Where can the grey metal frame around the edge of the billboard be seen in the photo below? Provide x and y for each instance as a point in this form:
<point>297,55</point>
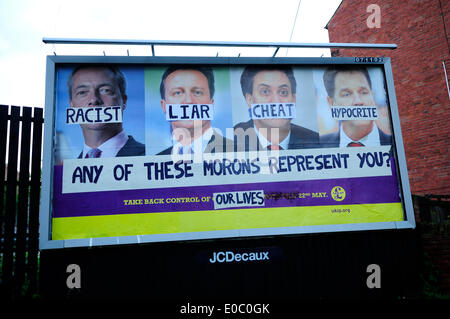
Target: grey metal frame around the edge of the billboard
<point>45,241</point>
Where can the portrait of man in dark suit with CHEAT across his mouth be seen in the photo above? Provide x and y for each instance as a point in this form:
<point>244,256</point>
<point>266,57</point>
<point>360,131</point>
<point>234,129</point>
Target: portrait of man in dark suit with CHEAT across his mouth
<point>268,85</point>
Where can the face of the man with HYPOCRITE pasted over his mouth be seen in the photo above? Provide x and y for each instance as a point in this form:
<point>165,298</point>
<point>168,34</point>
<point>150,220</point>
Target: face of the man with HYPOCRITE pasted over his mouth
<point>352,88</point>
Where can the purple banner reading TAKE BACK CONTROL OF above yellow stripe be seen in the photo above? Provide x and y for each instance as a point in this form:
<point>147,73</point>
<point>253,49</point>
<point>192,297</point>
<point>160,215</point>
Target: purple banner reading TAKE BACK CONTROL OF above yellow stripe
<point>364,190</point>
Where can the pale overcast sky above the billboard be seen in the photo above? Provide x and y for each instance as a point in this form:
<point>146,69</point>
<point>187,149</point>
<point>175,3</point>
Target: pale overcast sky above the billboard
<point>24,23</point>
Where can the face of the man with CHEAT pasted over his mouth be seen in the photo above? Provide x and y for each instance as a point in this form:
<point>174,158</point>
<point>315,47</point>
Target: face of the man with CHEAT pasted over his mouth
<point>271,87</point>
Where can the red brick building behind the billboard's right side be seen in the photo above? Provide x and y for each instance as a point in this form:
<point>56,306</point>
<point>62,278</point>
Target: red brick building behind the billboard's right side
<point>421,30</point>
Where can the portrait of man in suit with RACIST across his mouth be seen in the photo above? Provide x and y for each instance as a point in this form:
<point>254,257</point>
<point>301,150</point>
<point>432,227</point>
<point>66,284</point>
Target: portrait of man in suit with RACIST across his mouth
<point>102,85</point>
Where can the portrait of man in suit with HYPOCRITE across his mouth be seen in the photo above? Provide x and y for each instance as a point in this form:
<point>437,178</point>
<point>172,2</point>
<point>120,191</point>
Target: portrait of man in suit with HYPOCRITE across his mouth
<point>352,86</point>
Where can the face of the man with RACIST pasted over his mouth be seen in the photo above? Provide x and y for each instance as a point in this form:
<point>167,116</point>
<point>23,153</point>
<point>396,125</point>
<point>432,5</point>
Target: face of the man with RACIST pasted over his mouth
<point>95,87</point>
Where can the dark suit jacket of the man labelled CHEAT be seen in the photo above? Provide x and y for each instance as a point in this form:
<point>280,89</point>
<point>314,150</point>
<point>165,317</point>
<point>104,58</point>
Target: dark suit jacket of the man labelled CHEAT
<point>301,137</point>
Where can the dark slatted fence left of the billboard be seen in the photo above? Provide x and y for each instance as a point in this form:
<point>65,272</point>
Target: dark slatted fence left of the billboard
<point>20,171</point>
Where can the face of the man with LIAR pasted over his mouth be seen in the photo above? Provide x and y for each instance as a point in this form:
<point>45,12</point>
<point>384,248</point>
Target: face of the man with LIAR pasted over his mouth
<point>186,87</point>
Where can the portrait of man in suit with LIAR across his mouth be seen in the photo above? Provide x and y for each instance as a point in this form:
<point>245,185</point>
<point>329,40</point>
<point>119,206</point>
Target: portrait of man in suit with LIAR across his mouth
<point>191,86</point>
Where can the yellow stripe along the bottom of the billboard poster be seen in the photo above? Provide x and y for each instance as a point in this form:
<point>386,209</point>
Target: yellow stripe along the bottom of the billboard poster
<point>198,221</point>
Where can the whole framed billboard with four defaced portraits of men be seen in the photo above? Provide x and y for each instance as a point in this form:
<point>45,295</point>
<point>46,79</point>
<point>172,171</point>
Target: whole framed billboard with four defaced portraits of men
<point>161,149</point>
